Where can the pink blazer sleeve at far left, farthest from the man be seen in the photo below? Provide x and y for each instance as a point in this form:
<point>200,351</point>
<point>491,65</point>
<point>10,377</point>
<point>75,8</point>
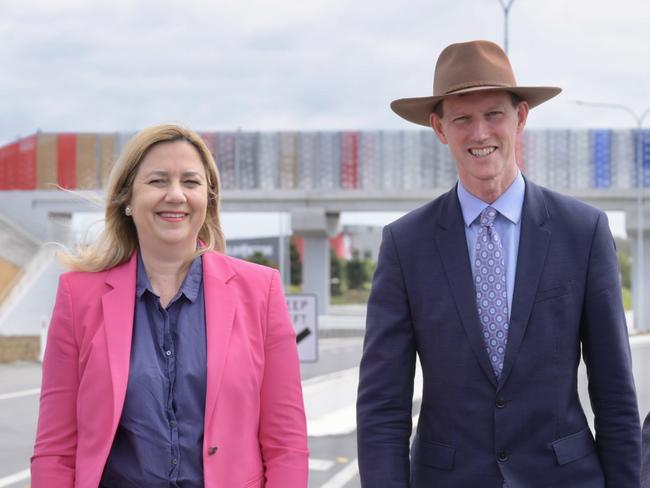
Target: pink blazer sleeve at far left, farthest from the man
<point>53,461</point>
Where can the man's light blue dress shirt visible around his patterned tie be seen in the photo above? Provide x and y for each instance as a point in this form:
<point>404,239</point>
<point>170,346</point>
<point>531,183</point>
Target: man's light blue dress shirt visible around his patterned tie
<point>508,225</point>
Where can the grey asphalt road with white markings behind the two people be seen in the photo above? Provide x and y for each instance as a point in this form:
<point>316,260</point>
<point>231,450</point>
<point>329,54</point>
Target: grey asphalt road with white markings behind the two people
<point>330,393</point>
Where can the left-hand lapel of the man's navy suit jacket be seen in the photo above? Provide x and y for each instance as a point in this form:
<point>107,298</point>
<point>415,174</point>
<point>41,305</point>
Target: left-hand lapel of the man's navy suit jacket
<point>452,245</point>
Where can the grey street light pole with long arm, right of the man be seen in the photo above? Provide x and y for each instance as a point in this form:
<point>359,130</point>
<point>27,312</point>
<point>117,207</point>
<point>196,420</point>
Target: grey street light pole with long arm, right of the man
<point>638,321</point>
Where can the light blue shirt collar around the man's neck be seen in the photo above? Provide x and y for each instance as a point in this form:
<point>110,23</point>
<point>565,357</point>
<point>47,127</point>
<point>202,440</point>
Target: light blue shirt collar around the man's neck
<point>509,204</point>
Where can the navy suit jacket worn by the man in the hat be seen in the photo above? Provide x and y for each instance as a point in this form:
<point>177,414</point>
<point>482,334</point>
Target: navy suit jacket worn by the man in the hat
<point>528,428</point>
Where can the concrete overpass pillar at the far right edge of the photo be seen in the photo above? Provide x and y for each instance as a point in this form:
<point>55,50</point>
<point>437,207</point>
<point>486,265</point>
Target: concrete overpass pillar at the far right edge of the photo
<point>640,268</point>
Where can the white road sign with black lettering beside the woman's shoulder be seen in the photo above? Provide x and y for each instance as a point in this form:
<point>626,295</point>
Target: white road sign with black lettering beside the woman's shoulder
<point>304,317</point>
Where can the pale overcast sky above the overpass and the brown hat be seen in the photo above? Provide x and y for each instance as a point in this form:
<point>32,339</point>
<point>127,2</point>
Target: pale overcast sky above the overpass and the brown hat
<point>88,65</point>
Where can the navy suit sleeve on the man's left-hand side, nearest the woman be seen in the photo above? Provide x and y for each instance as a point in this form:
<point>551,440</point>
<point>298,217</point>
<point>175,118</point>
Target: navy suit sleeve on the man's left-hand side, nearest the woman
<point>386,376</point>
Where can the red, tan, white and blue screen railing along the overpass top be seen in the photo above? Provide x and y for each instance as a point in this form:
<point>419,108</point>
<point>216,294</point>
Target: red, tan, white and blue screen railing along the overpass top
<point>344,160</point>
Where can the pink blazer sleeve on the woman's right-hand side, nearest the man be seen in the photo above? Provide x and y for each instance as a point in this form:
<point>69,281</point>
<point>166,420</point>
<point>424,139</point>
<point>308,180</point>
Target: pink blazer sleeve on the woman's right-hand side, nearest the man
<point>283,430</point>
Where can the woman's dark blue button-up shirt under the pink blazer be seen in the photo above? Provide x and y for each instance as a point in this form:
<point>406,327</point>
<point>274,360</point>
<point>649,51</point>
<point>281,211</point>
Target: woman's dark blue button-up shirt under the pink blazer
<point>159,439</point>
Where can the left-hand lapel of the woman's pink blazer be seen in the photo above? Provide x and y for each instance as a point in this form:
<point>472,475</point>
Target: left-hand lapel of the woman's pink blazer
<point>118,306</point>
